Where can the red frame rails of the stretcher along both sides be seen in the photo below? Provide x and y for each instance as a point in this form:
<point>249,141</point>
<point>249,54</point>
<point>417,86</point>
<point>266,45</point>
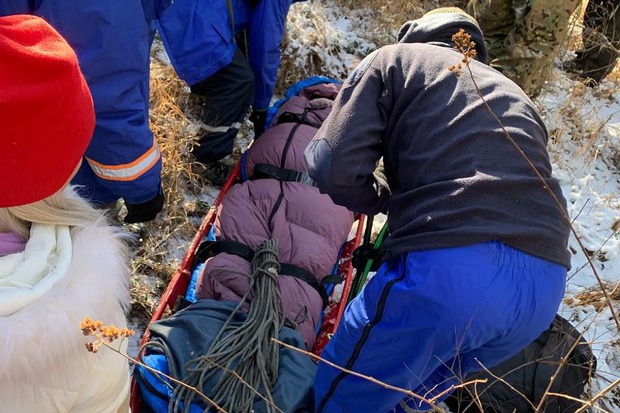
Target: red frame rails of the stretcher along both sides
<point>180,281</point>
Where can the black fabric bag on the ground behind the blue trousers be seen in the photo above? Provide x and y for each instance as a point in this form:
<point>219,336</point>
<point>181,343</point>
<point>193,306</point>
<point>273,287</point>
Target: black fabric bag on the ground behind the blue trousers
<point>529,373</point>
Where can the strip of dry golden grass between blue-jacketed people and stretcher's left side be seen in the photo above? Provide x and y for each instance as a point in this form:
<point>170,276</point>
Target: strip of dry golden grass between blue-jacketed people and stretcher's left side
<point>156,241</point>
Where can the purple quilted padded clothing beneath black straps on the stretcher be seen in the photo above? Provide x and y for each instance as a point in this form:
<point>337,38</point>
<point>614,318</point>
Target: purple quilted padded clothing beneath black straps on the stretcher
<point>310,229</point>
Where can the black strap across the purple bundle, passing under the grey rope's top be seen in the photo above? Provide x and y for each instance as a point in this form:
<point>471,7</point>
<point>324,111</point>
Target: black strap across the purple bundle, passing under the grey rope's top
<point>211,248</point>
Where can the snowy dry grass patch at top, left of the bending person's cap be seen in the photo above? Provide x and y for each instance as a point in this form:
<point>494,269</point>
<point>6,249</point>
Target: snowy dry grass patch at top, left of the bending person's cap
<point>326,51</point>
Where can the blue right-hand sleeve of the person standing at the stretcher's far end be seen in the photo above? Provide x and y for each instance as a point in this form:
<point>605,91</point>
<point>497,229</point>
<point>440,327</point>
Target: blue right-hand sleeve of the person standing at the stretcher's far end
<point>266,31</point>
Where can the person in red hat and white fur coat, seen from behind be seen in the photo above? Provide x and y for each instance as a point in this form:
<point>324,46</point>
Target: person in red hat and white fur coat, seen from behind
<point>59,259</point>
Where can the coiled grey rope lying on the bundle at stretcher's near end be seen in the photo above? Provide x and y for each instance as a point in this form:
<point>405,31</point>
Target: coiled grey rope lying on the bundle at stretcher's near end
<point>247,350</point>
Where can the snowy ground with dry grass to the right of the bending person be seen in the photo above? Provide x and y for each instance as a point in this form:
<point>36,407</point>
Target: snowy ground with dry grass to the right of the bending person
<point>585,154</point>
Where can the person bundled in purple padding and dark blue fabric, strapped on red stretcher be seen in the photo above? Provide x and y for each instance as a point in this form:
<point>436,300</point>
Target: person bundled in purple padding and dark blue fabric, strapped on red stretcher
<point>275,216</point>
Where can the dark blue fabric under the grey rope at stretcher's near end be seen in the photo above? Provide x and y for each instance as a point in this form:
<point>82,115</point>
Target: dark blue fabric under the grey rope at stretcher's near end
<point>190,332</point>
